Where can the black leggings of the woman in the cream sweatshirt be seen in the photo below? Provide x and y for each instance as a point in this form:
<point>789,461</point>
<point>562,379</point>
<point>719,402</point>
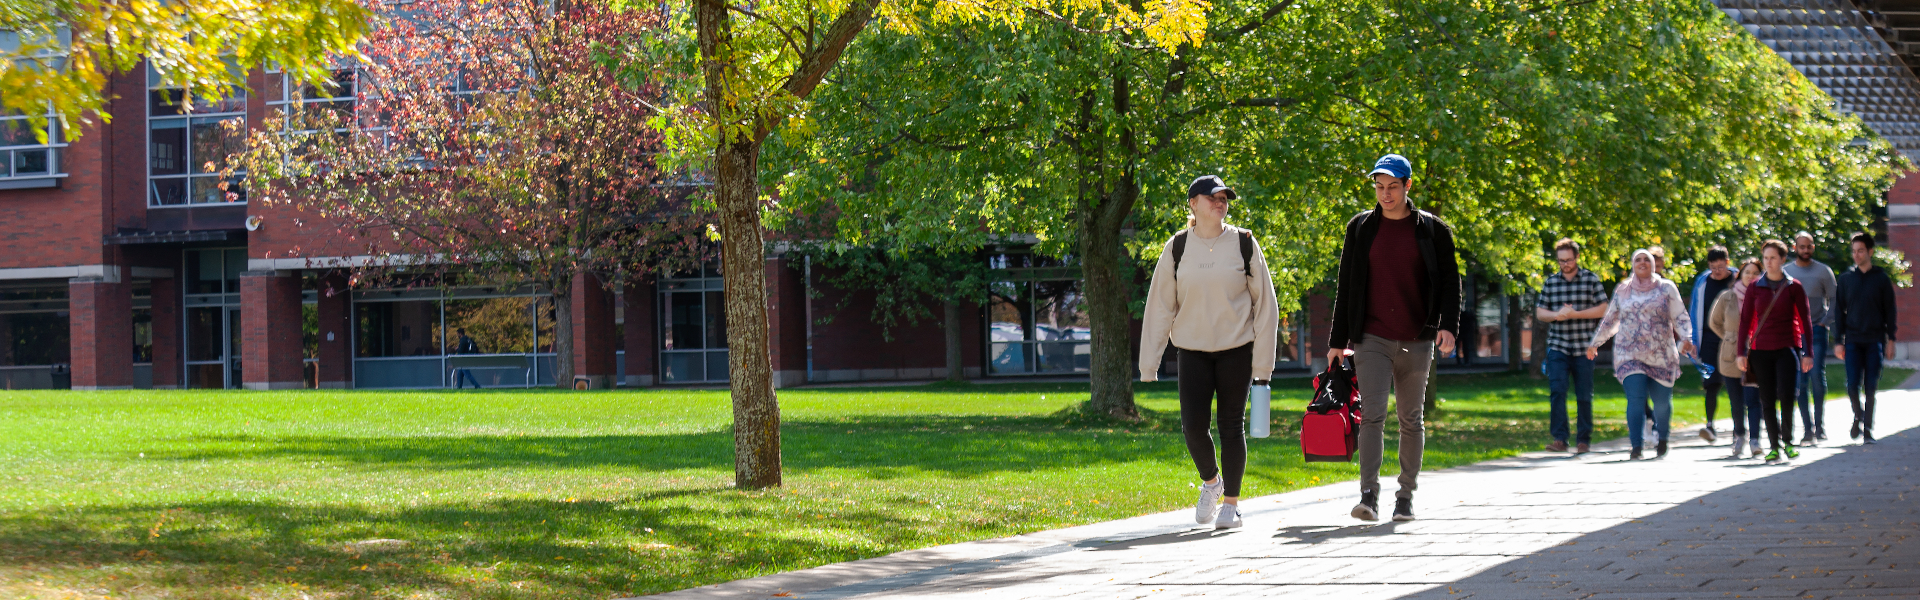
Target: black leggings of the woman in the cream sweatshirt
<point>1203,376</point>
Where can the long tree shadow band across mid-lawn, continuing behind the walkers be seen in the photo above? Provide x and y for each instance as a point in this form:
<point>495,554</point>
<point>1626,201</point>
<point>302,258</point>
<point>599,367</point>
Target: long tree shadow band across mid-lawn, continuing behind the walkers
<point>876,447</point>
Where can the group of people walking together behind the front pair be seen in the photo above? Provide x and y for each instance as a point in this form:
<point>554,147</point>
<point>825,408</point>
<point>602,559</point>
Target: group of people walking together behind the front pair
<point>1762,336</point>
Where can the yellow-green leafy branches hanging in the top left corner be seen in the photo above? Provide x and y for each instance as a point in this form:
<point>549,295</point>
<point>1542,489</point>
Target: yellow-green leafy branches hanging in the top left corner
<point>59,53</point>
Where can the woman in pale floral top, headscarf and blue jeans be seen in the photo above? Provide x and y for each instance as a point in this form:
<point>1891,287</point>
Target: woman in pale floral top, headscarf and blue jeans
<point>1646,320</point>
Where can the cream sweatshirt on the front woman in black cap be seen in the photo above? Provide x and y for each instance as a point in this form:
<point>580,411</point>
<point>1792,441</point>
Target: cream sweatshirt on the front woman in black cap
<point>1212,305</point>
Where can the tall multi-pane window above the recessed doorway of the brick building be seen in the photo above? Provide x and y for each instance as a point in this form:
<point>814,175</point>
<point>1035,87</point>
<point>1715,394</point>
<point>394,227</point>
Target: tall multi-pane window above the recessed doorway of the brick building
<point>191,143</point>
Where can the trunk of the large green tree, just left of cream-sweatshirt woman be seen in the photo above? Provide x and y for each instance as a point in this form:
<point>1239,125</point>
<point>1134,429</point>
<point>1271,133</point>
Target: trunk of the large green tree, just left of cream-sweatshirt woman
<point>1107,297</point>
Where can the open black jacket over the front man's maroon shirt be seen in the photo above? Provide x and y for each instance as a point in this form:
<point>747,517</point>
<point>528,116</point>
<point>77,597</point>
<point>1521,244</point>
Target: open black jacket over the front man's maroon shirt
<point>1443,278</point>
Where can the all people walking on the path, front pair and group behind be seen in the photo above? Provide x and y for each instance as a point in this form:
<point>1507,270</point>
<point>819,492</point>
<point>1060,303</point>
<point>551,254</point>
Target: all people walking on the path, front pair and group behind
<point>1397,305</point>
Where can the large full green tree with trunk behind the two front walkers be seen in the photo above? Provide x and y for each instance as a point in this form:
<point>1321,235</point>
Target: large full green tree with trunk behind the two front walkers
<point>1610,122</point>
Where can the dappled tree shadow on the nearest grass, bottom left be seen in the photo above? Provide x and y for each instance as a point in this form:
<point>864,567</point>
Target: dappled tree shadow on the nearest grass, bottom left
<point>500,549</point>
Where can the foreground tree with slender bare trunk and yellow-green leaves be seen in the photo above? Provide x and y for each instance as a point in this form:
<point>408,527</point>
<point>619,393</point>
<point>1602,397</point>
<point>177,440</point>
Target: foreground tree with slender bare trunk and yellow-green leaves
<point>759,68</point>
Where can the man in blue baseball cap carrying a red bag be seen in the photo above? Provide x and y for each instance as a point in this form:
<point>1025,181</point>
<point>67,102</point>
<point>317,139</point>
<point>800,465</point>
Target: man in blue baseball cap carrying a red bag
<point>1395,305</point>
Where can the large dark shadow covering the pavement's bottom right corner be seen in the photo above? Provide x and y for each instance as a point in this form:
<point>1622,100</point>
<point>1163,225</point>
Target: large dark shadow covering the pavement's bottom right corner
<point>1838,528</point>
